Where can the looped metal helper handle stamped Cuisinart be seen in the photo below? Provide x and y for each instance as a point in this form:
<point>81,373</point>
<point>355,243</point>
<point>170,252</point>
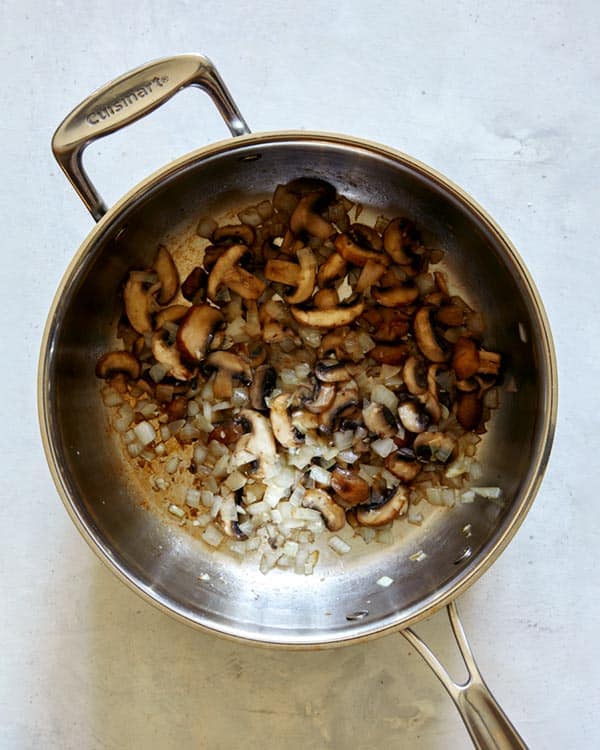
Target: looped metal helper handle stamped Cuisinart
<point>126,100</point>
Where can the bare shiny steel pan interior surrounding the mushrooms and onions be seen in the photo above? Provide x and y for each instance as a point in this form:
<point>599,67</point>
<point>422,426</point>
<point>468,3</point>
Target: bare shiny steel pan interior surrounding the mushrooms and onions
<point>342,600</point>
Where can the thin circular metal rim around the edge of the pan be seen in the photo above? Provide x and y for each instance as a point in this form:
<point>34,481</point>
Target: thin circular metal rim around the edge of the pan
<point>545,430</point>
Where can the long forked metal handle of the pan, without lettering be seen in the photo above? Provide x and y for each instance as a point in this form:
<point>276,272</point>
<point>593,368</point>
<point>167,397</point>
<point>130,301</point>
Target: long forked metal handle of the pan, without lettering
<point>486,722</point>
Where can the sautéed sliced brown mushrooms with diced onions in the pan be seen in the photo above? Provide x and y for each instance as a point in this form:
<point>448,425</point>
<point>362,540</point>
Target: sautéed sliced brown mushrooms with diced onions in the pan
<point>309,375</point>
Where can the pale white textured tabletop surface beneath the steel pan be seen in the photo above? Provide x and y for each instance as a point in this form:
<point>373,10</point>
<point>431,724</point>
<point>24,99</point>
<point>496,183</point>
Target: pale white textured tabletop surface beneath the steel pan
<point>503,98</point>
